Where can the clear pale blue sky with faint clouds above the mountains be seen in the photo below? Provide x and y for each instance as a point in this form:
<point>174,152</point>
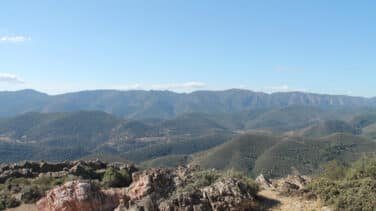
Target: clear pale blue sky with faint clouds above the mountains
<point>58,46</point>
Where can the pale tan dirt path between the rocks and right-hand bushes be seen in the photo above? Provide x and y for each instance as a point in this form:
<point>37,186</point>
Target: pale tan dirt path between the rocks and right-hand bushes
<point>281,203</point>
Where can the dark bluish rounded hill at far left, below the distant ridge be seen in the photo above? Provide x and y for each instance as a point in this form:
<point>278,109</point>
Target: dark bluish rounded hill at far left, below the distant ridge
<point>60,129</point>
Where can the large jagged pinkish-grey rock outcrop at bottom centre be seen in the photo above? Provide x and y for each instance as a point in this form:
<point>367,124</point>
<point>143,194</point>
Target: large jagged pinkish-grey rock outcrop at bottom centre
<point>155,190</point>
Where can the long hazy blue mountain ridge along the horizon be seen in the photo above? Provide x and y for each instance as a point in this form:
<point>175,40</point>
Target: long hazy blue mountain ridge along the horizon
<point>165,104</point>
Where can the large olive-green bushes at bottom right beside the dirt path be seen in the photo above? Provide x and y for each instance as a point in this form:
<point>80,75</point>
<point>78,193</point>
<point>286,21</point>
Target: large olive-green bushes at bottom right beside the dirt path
<point>354,188</point>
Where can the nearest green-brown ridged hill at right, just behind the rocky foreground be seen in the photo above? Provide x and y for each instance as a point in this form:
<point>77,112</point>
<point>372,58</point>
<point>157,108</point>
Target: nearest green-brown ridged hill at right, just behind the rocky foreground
<point>279,156</point>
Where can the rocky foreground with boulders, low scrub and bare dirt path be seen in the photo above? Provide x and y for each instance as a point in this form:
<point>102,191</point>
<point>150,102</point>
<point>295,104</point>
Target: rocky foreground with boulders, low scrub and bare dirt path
<point>99,186</point>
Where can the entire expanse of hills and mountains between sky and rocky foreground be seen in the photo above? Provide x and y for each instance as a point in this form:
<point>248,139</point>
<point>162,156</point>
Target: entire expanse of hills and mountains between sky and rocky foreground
<point>273,134</point>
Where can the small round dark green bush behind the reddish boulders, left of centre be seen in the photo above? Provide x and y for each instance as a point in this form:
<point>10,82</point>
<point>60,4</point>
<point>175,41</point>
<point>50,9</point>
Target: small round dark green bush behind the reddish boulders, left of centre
<point>116,178</point>
